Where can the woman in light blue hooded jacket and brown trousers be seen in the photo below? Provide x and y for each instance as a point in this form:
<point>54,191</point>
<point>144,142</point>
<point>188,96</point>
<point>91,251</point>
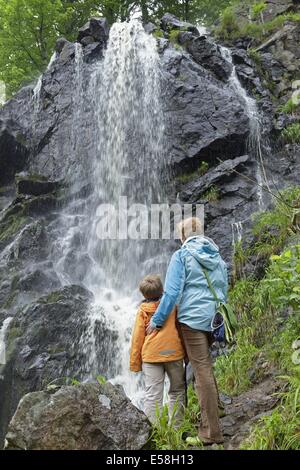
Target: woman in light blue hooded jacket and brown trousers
<point>187,287</point>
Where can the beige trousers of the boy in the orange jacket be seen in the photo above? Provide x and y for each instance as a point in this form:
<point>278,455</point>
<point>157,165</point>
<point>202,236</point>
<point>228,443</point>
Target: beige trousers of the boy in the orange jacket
<point>154,381</point>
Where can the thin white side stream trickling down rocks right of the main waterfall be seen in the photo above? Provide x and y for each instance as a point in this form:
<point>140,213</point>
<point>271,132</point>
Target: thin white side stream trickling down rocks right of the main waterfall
<point>254,141</point>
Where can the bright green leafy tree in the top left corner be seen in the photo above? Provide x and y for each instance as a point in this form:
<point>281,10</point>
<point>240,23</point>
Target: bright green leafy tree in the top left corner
<point>27,35</point>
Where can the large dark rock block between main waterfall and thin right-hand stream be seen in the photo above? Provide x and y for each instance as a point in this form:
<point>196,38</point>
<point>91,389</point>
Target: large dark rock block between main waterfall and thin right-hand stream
<point>206,121</point>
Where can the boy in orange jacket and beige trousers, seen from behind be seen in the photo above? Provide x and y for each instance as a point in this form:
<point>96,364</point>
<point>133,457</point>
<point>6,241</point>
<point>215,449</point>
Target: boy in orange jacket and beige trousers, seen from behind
<point>158,353</point>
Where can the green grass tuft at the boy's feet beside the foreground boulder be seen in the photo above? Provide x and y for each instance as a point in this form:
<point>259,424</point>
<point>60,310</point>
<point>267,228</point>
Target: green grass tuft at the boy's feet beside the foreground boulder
<point>167,435</point>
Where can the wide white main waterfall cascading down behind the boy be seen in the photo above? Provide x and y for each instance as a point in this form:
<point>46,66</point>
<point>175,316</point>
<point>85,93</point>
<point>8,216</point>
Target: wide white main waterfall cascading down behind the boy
<point>127,133</point>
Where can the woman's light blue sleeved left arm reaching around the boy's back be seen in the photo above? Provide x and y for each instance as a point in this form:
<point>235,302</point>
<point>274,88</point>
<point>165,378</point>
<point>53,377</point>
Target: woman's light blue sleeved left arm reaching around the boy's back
<point>172,292</point>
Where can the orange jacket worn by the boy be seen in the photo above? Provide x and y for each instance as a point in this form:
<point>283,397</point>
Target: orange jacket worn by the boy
<point>164,346</point>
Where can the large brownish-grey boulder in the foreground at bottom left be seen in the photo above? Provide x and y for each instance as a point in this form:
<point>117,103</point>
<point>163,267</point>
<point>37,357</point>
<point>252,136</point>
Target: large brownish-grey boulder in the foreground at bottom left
<point>81,417</point>
